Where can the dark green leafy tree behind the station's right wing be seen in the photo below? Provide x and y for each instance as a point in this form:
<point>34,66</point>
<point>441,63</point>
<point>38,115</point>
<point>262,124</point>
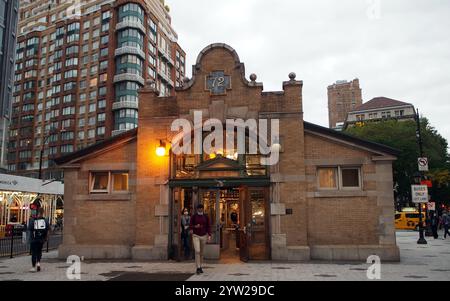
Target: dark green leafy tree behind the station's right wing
<point>402,136</point>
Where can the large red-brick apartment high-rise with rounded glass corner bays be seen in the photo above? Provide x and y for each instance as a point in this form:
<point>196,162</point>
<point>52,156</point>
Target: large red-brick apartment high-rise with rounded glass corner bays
<point>79,67</point>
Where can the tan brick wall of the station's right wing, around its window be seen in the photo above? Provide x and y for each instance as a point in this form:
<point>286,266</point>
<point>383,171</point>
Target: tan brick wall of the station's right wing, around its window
<point>348,220</point>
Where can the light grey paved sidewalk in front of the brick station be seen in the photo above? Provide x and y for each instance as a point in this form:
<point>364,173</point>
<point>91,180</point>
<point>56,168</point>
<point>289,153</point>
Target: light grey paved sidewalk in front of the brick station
<point>429,262</point>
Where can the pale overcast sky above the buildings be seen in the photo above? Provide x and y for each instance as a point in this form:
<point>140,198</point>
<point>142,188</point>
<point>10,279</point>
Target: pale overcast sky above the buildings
<point>398,49</point>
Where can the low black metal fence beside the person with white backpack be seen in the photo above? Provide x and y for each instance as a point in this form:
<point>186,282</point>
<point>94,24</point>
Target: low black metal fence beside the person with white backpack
<point>13,245</point>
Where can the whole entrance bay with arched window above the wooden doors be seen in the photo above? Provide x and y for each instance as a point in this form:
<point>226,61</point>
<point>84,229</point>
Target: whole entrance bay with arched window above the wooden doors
<point>234,190</point>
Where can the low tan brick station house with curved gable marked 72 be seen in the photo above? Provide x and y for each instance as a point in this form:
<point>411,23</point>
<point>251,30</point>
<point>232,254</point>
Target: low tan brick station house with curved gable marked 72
<point>329,197</point>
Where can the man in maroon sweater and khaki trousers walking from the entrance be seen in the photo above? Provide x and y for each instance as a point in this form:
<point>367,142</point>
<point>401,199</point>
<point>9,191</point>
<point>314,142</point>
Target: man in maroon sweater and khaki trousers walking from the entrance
<point>201,232</point>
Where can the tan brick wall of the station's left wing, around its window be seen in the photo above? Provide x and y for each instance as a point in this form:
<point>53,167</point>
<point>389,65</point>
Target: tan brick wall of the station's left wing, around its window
<point>101,219</point>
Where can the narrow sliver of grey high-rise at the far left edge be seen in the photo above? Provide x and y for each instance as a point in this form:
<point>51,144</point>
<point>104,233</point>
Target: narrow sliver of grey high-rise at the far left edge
<point>9,11</point>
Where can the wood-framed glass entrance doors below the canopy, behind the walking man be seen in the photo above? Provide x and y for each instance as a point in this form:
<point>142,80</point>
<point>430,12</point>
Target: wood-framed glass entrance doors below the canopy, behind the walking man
<point>239,221</point>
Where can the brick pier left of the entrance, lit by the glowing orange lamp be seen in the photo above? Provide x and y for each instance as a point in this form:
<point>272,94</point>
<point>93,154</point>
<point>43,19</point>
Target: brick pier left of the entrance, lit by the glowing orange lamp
<point>152,193</point>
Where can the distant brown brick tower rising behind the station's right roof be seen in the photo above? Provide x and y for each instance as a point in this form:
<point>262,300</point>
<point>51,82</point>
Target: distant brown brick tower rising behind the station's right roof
<point>343,97</point>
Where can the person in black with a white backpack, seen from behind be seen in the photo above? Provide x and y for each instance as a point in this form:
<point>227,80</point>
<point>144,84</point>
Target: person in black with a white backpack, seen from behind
<point>38,230</point>
